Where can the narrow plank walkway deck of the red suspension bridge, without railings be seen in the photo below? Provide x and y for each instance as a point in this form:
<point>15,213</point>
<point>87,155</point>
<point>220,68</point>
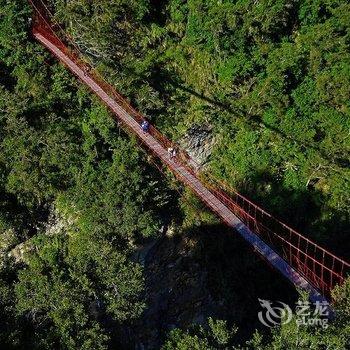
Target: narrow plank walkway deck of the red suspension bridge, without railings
<point>184,175</point>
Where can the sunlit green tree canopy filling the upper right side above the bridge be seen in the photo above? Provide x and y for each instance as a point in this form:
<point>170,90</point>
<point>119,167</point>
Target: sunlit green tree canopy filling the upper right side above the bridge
<point>272,78</point>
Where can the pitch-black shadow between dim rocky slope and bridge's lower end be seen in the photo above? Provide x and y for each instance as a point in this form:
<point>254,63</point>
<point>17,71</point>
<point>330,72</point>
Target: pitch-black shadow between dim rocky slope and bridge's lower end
<point>238,277</point>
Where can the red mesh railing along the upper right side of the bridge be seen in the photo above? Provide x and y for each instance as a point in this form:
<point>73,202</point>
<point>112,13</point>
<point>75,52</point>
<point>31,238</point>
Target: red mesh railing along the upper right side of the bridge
<point>320,267</point>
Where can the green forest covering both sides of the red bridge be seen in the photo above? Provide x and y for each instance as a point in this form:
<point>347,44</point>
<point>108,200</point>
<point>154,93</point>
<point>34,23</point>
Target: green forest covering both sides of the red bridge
<point>79,197</point>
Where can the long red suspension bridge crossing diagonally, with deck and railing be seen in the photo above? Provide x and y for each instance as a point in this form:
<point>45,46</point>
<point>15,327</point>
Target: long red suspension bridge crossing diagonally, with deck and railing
<point>304,263</point>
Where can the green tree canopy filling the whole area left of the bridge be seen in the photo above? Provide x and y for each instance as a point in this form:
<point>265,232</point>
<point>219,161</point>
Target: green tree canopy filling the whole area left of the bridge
<point>60,150</point>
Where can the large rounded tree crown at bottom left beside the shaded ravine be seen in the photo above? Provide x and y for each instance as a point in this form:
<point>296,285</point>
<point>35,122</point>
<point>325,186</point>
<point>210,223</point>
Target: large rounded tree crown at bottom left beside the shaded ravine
<point>72,282</point>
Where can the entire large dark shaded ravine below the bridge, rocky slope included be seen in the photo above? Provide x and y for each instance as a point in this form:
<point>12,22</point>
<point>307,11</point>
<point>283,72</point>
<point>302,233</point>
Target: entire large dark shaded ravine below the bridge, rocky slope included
<point>209,272</point>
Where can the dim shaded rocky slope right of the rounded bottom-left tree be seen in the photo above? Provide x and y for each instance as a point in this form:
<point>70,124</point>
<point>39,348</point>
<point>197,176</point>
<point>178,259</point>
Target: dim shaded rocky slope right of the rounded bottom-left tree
<point>176,291</point>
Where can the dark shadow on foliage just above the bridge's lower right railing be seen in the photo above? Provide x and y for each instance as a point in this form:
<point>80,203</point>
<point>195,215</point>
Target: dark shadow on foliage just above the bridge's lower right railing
<point>305,211</point>
